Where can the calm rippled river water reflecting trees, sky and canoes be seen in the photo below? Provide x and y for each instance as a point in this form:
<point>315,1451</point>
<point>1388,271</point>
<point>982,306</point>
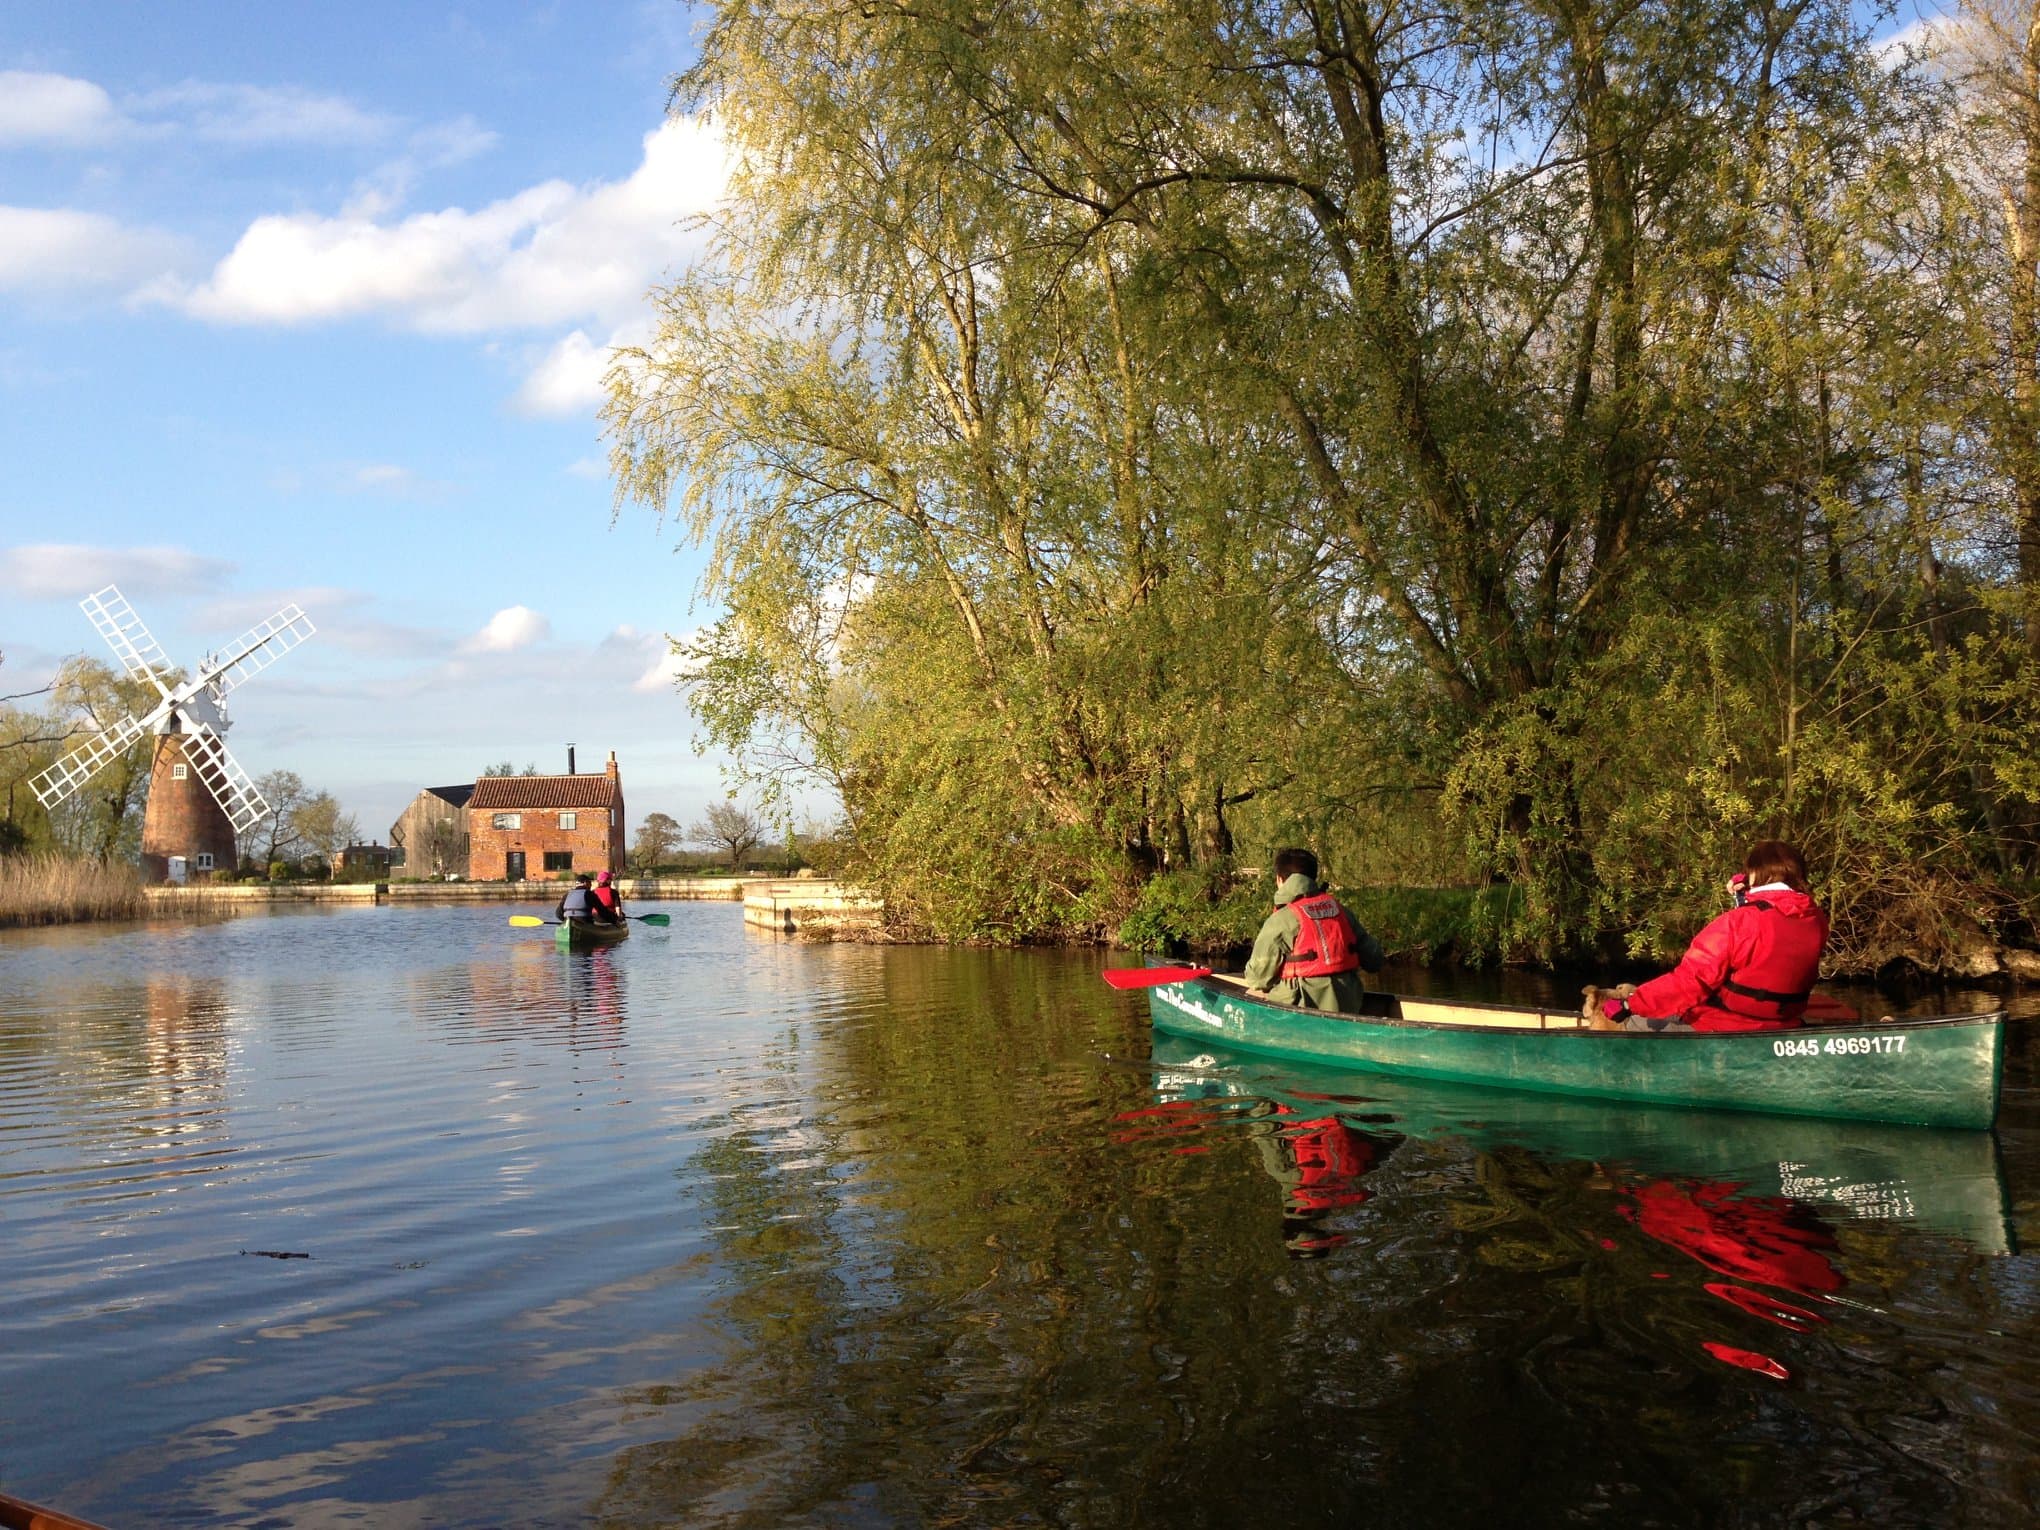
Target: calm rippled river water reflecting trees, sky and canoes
<point>721,1231</point>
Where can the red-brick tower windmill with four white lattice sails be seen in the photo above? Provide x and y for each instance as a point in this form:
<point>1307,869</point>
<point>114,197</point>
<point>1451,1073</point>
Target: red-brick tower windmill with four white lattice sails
<point>199,797</point>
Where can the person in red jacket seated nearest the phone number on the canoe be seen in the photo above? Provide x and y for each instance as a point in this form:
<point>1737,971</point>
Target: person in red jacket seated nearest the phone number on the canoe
<point>1751,970</point>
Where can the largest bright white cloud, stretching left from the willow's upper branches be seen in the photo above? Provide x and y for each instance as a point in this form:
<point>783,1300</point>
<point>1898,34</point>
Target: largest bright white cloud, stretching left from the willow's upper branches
<point>548,256</point>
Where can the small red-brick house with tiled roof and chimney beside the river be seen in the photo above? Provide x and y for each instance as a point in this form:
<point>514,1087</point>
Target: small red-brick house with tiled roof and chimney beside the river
<point>546,827</point>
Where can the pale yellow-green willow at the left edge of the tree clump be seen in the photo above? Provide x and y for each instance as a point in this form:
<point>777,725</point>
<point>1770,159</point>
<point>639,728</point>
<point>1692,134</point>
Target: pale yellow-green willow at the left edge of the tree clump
<point>994,572</point>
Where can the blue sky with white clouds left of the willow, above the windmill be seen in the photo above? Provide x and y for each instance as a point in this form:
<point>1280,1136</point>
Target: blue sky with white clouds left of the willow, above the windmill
<point>311,303</point>
